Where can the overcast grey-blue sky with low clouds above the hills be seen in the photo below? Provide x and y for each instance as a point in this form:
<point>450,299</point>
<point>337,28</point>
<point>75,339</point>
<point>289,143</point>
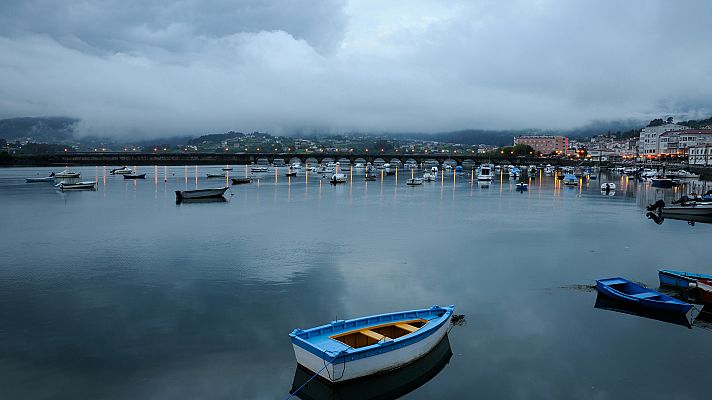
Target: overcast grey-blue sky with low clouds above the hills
<point>196,66</point>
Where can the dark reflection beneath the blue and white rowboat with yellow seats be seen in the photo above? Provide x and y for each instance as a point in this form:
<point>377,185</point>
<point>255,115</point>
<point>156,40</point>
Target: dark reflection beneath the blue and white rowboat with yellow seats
<point>389,385</point>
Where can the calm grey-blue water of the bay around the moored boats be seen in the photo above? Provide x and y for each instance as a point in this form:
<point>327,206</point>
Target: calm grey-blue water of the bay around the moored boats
<point>120,293</point>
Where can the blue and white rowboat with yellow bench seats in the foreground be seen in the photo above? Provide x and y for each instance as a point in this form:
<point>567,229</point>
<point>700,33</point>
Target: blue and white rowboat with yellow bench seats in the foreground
<point>347,349</point>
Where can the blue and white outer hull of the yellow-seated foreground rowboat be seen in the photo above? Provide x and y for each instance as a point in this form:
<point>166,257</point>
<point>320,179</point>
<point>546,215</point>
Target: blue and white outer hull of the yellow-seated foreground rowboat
<point>374,359</point>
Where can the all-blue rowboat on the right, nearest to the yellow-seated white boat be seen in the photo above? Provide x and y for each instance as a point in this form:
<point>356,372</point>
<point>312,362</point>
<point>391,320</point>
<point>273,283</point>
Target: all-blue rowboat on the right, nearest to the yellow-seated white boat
<point>629,292</point>
